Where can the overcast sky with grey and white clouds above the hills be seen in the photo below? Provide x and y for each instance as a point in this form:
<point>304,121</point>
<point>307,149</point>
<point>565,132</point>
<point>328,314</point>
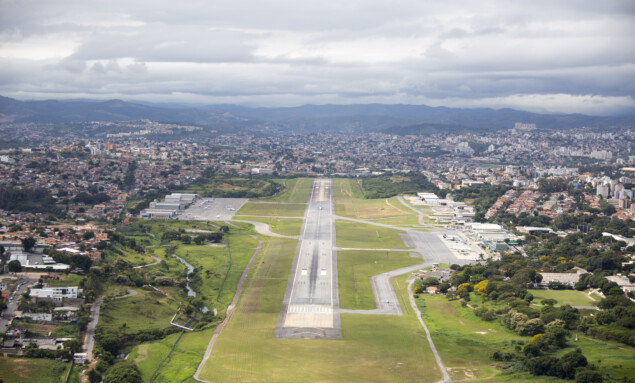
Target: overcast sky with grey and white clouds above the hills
<point>550,56</point>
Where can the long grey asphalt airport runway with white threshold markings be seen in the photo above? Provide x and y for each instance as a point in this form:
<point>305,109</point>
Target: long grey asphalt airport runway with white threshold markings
<point>309,309</point>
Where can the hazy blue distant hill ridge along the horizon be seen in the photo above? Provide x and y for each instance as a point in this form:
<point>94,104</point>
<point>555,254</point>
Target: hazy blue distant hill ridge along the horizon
<point>389,118</point>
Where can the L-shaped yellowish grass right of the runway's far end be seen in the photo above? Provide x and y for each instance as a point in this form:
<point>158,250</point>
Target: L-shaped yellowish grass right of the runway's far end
<point>349,202</point>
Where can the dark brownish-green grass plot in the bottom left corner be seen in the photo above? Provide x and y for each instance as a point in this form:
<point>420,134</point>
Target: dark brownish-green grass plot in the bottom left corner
<point>29,370</point>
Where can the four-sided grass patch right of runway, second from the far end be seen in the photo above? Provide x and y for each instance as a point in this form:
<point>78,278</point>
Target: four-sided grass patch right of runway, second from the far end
<point>358,235</point>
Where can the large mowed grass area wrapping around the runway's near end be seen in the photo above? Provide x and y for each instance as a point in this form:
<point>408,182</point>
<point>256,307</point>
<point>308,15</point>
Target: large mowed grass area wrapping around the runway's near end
<point>374,348</point>
